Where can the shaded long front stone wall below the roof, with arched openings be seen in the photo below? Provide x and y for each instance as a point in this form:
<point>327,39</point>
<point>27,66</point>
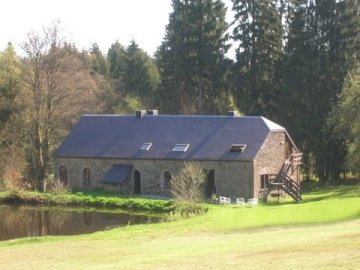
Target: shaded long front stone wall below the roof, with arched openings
<point>232,178</point>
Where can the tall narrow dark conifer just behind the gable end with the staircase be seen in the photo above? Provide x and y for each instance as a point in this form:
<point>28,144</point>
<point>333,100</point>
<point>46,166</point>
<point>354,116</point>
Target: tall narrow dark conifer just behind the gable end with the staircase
<point>298,109</point>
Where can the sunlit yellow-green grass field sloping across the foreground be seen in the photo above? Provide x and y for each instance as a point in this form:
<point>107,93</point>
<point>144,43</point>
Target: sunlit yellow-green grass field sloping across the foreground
<point>321,233</point>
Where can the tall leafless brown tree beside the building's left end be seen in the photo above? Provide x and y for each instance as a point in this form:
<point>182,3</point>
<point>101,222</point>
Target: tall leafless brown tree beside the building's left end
<point>58,89</point>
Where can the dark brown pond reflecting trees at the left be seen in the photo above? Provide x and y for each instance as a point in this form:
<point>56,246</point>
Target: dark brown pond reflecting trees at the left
<point>18,221</point>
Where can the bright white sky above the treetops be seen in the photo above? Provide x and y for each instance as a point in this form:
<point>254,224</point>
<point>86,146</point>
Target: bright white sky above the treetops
<point>85,22</point>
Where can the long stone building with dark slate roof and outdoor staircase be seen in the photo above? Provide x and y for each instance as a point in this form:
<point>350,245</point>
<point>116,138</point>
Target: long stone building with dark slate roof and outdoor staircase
<point>138,154</point>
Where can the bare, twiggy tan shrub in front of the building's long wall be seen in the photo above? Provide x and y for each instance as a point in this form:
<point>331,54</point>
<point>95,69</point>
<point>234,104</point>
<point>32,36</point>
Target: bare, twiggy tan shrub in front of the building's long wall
<point>186,185</point>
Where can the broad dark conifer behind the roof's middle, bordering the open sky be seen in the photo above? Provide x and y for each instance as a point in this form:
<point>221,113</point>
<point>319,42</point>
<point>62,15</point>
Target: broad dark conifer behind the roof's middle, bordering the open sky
<point>191,58</point>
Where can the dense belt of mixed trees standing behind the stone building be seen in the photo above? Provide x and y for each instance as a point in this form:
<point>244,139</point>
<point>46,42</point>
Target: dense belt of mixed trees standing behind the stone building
<point>296,63</point>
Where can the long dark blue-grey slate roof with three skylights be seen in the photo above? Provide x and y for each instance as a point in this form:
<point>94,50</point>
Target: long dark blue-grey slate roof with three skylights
<point>209,137</point>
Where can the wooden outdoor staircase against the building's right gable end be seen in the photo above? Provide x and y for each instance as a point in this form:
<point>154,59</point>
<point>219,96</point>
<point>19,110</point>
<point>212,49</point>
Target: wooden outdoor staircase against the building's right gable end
<point>283,181</point>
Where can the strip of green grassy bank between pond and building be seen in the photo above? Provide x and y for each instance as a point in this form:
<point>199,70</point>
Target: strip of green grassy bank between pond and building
<point>92,199</point>
